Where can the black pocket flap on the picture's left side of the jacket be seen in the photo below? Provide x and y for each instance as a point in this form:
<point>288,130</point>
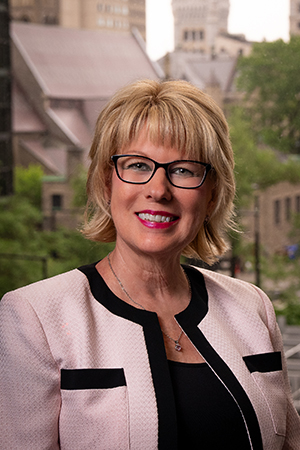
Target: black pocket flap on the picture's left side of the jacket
<point>74,379</point>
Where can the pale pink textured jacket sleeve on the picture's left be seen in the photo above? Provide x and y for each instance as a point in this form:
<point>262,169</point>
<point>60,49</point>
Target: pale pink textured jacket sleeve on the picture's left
<point>29,379</point>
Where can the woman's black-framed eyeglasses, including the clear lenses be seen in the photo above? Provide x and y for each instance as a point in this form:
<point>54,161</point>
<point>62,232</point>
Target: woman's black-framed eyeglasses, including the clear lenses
<point>183,174</point>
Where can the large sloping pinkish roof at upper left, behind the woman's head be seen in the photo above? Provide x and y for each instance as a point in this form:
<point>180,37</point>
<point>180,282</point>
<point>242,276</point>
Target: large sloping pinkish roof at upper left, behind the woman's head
<point>79,63</point>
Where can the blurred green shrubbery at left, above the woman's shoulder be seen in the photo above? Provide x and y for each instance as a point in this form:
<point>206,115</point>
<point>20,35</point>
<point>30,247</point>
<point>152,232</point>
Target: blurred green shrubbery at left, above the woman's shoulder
<point>21,234</point>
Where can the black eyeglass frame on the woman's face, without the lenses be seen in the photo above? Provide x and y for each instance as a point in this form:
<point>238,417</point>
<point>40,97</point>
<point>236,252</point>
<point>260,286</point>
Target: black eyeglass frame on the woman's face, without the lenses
<point>165,166</point>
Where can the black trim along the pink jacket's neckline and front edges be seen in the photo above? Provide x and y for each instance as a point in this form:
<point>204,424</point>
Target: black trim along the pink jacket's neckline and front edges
<point>189,320</point>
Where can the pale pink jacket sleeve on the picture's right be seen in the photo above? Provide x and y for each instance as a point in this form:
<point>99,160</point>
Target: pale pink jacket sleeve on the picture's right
<point>292,440</point>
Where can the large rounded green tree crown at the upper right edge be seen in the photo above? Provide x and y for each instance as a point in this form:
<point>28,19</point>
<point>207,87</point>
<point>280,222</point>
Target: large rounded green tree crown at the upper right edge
<point>270,78</point>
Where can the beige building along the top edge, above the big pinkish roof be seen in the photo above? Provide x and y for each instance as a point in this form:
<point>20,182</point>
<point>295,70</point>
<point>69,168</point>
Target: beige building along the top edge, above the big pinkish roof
<point>112,15</point>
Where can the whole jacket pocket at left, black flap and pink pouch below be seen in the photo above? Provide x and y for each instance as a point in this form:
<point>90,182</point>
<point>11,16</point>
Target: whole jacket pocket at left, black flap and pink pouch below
<point>94,410</point>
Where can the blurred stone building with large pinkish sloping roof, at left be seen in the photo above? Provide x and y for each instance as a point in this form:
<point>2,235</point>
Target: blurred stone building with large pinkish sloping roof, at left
<point>62,79</point>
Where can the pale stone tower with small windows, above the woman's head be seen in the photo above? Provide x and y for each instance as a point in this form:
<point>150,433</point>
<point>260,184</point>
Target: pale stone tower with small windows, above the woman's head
<point>205,53</point>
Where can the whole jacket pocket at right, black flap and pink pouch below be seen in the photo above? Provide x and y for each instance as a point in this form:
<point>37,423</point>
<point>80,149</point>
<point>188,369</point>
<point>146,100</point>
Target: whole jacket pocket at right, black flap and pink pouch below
<point>266,370</point>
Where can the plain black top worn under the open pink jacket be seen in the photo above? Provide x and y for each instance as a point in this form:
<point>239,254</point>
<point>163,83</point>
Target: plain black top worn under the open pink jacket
<point>207,415</point>
